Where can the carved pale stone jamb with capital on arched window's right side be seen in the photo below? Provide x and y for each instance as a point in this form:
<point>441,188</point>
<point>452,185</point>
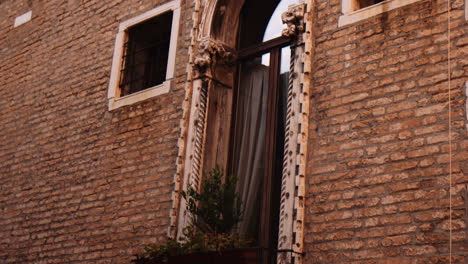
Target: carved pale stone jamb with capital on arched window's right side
<point>291,227</point>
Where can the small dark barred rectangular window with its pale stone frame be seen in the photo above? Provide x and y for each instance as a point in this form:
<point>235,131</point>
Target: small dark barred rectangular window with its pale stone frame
<point>144,56</point>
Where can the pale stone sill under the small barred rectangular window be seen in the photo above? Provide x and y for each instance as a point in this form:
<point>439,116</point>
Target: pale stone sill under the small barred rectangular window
<point>140,96</point>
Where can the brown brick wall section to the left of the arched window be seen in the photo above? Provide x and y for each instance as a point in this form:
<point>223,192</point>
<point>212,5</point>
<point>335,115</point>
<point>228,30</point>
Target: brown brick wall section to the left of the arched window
<point>80,184</point>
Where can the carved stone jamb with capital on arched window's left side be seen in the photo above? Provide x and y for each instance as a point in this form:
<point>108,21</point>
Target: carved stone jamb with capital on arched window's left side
<point>208,53</point>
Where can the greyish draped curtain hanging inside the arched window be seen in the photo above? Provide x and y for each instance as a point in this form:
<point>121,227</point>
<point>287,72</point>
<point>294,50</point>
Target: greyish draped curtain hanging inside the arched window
<point>249,143</point>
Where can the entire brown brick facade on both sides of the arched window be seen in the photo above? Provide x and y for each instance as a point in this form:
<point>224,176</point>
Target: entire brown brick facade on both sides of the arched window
<point>81,184</point>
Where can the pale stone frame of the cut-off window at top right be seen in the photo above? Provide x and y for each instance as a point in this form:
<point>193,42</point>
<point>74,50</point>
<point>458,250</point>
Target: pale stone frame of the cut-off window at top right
<point>352,14</point>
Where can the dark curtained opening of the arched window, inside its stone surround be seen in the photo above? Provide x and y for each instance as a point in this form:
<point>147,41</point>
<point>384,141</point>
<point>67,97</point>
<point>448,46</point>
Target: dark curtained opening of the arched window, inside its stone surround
<point>259,114</point>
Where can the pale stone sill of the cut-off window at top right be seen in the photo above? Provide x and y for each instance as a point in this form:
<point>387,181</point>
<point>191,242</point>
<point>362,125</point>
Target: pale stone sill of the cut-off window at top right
<point>370,11</point>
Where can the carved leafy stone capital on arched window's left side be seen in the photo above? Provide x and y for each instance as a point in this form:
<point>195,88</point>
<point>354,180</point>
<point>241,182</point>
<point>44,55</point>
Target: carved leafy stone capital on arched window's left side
<point>210,52</point>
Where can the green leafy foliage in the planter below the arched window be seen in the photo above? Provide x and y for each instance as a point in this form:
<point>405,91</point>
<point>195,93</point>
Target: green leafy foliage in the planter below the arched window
<point>215,211</point>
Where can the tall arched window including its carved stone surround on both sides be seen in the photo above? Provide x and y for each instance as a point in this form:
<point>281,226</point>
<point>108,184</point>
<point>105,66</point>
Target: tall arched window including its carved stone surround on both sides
<point>248,115</point>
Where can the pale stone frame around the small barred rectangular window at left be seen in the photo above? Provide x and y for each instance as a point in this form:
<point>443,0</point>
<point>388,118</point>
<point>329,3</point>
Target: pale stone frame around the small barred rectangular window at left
<point>114,99</point>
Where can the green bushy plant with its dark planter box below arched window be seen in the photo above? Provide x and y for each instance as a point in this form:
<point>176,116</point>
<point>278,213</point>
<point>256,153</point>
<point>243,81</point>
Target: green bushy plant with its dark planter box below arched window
<point>215,211</point>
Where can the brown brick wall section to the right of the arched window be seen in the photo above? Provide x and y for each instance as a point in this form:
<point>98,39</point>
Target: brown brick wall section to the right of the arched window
<point>378,171</point>
